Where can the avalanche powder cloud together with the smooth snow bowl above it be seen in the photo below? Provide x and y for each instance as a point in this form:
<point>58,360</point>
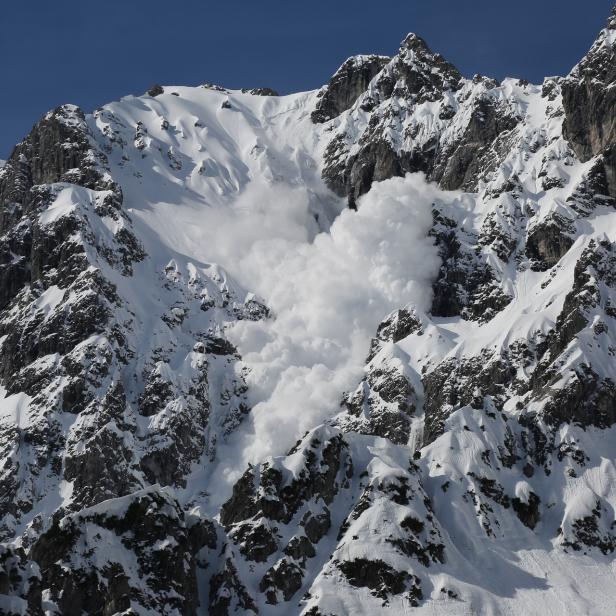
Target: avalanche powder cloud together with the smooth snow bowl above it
<point>327,274</point>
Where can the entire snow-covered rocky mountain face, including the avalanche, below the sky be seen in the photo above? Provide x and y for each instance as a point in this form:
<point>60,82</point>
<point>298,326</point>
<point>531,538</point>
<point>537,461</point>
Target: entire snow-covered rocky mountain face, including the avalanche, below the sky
<point>341,352</point>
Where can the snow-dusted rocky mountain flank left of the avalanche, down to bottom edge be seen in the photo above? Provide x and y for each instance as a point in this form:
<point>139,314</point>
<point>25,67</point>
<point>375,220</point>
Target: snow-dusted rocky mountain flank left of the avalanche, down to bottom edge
<point>82,380</point>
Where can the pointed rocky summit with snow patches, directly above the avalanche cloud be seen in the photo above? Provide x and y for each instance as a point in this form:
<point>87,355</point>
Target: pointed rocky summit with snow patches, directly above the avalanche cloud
<point>468,136</point>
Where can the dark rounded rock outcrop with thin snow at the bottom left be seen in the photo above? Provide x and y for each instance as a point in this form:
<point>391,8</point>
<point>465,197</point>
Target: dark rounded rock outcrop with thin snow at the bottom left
<point>152,527</point>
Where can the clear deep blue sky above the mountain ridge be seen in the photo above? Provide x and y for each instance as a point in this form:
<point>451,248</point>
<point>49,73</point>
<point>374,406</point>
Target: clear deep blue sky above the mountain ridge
<point>90,52</point>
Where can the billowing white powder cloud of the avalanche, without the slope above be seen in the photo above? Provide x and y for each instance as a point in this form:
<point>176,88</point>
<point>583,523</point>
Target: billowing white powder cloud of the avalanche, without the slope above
<point>328,292</point>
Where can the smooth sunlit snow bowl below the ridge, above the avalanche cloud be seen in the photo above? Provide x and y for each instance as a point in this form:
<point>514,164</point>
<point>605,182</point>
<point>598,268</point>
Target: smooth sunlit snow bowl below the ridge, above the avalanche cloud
<point>210,145</point>
